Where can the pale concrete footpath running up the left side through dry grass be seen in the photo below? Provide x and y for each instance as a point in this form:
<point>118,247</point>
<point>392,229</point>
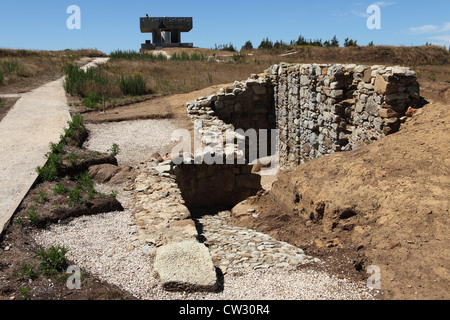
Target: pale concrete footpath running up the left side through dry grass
<point>37,119</point>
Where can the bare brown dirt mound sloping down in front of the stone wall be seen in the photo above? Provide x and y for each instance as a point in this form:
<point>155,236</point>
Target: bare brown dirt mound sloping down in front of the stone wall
<point>386,204</point>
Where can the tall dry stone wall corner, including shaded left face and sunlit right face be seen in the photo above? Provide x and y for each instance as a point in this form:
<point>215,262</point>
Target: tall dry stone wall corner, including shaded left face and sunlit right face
<point>317,109</point>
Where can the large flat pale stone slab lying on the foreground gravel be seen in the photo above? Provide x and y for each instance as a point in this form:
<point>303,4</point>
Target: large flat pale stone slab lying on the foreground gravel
<point>185,266</point>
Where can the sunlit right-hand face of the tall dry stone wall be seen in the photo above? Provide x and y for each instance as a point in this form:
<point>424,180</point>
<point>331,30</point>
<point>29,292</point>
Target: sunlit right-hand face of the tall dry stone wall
<point>321,109</point>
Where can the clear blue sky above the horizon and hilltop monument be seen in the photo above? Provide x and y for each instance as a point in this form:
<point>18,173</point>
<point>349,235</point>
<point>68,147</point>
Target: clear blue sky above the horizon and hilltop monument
<point>114,24</point>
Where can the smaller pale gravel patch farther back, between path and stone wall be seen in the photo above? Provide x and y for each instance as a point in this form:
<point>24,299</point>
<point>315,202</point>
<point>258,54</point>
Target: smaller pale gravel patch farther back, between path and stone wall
<point>137,140</point>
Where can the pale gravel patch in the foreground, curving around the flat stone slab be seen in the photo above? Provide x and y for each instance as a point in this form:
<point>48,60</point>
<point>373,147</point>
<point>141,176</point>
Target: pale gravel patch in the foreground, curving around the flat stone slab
<point>106,246</point>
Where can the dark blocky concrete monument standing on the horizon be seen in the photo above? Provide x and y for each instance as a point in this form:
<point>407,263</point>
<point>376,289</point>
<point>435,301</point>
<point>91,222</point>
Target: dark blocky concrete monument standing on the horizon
<point>166,32</point>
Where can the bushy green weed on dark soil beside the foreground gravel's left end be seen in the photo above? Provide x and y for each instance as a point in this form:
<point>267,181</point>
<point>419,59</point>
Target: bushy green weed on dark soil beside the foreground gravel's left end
<point>52,260</point>
